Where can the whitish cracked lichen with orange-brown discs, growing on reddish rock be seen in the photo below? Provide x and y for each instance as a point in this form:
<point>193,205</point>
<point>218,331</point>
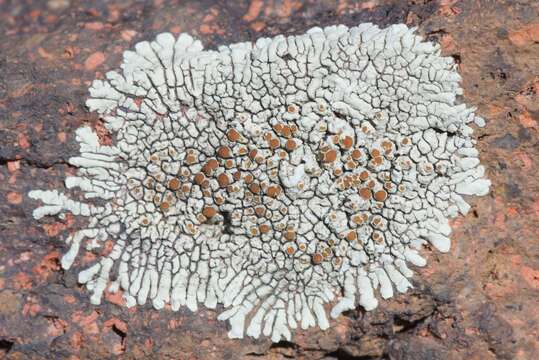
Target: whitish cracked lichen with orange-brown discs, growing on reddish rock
<point>272,178</point>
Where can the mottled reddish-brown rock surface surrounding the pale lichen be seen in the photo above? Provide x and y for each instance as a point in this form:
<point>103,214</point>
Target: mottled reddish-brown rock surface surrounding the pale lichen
<point>478,302</point>
